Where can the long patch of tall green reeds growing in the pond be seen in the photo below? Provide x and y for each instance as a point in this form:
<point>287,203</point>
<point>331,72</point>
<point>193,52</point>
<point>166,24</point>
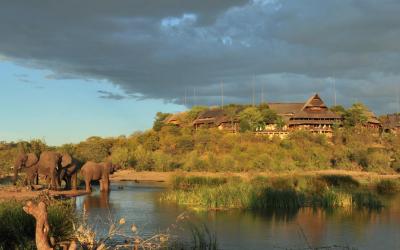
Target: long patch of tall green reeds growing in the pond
<point>264,194</point>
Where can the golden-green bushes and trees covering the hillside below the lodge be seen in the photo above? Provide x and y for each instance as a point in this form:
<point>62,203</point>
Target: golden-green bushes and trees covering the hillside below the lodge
<point>167,148</point>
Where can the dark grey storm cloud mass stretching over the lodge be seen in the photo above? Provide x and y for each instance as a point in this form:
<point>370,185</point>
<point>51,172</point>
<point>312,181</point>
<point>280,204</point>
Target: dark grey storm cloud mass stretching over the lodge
<point>162,49</point>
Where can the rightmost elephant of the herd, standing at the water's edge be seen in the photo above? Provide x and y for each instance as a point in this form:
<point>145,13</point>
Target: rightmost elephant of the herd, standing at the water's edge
<point>92,171</point>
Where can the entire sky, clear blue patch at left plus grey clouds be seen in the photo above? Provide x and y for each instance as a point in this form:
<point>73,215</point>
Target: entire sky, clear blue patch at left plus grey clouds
<point>73,69</point>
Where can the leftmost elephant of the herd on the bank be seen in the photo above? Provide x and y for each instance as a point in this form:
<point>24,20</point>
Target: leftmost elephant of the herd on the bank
<point>26,163</point>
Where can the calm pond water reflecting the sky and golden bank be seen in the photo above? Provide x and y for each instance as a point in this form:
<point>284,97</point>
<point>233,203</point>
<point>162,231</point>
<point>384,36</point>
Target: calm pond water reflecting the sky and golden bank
<point>139,204</point>
